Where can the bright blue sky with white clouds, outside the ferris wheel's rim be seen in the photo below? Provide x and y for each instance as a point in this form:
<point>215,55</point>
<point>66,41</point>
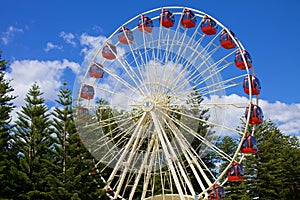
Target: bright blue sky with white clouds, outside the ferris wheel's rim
<point>46,41</point>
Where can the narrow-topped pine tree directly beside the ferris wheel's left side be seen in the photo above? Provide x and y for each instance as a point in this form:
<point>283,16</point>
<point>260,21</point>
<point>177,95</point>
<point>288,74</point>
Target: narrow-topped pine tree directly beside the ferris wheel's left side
<point>74,169</point>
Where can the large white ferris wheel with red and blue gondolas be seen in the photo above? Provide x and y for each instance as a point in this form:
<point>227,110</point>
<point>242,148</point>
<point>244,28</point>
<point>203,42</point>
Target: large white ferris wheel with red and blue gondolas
<point>152,100</point>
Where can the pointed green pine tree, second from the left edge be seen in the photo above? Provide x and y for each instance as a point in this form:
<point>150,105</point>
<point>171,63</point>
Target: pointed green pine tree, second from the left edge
<point>33,141</point>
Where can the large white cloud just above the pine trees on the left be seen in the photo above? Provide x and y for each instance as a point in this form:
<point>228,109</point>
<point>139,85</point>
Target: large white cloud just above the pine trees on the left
<point>47,74</point>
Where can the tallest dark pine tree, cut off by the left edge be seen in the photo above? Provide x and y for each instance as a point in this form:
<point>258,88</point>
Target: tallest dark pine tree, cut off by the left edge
<point>7,163</point>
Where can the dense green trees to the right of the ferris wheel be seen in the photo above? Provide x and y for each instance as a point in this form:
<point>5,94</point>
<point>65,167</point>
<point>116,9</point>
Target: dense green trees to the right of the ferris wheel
<point>272,173</point>
